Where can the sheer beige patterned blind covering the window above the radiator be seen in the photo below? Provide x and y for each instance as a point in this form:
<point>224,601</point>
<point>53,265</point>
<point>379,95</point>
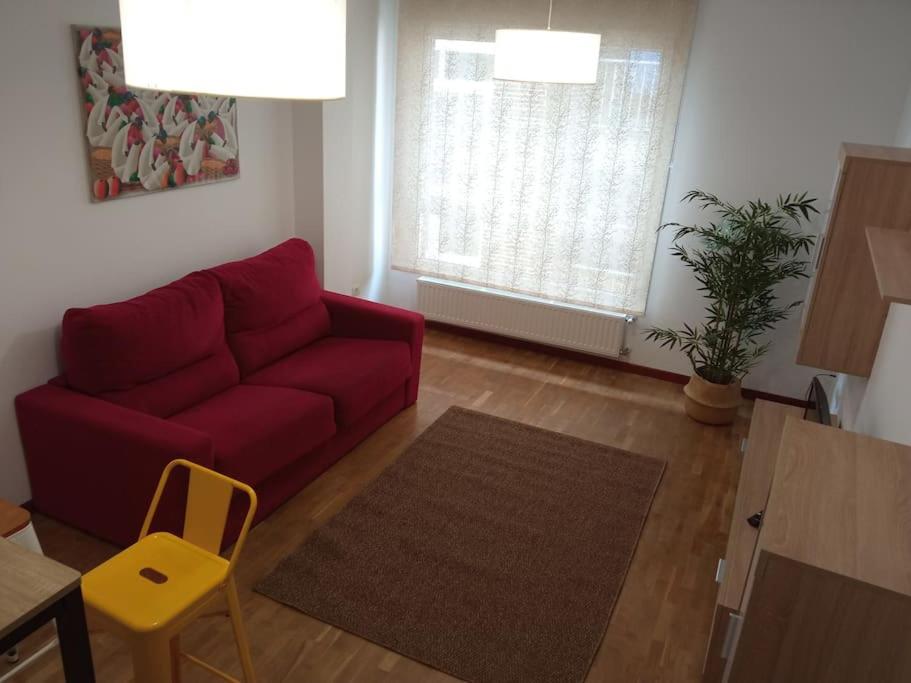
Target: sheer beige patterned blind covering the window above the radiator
<point>549,190</point>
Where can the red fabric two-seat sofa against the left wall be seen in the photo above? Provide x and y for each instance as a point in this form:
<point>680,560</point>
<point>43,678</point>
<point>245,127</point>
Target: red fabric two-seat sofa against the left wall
<point>249,368</point>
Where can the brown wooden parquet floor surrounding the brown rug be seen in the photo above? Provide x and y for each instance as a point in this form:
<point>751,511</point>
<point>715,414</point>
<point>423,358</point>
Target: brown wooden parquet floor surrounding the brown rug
<point>660,625</point>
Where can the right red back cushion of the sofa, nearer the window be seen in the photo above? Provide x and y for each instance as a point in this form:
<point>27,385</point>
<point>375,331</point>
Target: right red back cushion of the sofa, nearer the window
<point>272,304</point>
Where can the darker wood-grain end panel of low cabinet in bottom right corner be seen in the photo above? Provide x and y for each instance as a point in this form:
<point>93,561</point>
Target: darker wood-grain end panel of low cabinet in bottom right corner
<point>806,624</point>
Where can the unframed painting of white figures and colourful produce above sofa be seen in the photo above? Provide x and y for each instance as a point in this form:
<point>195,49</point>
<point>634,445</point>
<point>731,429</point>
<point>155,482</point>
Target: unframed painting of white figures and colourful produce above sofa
<point>142,141</point>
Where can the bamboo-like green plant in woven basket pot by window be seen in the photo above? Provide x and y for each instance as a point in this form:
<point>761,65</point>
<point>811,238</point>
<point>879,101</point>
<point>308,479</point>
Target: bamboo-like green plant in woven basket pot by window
<point>738,260</point>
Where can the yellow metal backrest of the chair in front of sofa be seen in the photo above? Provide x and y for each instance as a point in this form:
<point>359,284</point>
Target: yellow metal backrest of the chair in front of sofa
<point>209,497</point>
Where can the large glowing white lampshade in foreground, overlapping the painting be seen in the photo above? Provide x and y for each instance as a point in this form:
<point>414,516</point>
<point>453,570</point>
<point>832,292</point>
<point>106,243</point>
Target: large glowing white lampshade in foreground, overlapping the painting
<point>288,49</point>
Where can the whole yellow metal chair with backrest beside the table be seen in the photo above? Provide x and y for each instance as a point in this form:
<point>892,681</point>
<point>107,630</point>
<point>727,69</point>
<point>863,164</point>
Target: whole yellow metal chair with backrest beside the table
<point>151,591</point>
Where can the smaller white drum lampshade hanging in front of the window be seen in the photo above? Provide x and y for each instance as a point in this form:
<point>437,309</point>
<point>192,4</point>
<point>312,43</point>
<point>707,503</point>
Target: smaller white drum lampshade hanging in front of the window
<point>546,56</point>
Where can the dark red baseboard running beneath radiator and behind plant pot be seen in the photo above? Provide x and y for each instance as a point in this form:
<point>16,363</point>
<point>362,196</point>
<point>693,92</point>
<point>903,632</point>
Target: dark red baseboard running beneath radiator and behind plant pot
<point>612,363</point>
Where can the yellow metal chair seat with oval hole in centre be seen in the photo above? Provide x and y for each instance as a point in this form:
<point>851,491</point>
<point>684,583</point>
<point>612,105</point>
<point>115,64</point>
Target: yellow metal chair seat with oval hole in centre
<point>118,591</point>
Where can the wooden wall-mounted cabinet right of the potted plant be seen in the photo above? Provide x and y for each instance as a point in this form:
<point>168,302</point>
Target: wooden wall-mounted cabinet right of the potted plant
<point>845,313</point>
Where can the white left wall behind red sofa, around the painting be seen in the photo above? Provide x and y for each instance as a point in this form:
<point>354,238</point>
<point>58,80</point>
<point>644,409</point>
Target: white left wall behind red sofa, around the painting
<point>57,249</point>
